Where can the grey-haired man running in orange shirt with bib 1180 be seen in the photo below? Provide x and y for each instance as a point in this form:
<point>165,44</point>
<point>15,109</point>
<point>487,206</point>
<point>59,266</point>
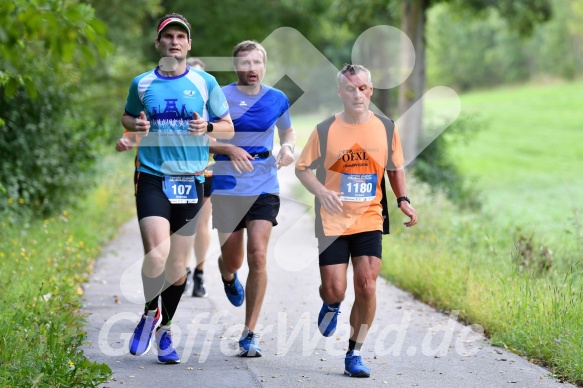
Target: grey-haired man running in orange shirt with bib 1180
<point>349,213</point>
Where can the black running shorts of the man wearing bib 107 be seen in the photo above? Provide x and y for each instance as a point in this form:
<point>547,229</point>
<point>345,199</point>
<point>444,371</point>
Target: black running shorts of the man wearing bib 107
<point>151,201</point>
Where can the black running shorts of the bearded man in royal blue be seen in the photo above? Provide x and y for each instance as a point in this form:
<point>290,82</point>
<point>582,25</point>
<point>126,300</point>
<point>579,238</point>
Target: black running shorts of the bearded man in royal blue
<point>231,212</point>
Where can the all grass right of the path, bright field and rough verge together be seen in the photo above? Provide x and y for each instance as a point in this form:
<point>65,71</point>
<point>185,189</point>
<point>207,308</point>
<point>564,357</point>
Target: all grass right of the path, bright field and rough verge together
<point>515,267</point>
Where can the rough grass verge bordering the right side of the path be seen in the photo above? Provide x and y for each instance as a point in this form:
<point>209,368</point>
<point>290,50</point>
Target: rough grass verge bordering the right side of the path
<point>462,261</point>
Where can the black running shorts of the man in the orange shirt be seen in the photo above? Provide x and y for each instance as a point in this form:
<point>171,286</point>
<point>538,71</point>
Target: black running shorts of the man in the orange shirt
<point>339,249</point>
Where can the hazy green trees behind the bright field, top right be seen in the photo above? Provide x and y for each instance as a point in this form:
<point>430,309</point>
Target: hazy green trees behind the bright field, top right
<point>488,48</point>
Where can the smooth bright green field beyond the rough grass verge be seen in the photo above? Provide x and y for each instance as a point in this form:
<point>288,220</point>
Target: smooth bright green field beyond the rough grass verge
<point>529,159</point>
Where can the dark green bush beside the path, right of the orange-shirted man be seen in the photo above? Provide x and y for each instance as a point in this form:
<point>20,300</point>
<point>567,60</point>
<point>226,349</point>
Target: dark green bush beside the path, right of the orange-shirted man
<point>439,169</point>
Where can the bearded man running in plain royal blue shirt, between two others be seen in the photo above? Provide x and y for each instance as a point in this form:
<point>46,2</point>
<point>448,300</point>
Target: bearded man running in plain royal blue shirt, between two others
<point>245,187</point>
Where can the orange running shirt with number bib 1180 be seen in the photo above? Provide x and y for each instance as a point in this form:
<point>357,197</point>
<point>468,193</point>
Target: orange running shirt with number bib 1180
<point>355,161</point>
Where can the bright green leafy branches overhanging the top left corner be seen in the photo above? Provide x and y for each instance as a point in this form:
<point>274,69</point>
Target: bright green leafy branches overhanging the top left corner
<point>62,33</point>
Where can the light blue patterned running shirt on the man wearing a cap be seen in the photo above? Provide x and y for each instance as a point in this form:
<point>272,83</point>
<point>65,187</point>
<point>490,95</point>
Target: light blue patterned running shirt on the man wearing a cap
<point>169,103</point>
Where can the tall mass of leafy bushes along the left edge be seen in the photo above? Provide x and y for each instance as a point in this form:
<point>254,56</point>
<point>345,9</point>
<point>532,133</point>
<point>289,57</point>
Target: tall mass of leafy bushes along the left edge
<point>49,141</point>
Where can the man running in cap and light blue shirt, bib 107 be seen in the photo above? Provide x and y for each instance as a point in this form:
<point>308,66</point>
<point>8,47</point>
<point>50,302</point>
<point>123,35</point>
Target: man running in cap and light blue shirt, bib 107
<point>170,108</point>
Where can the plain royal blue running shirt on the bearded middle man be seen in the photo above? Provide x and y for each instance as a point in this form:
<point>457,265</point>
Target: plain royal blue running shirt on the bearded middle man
<point>255,118</point>
